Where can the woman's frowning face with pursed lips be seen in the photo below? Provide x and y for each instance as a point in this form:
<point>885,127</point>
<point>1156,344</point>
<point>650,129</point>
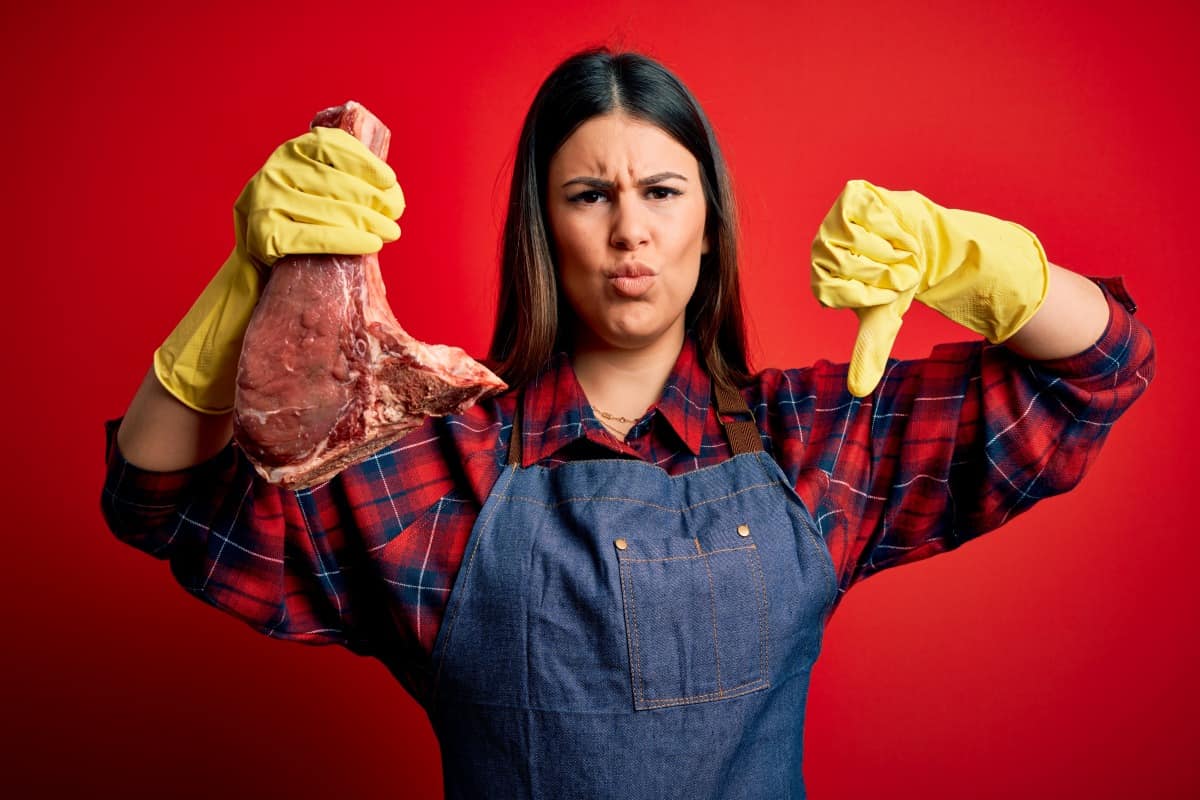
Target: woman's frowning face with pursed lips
<point>627,212</point>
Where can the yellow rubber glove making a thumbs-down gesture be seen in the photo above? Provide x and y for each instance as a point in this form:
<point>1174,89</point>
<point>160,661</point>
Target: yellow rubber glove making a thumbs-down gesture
<point>879,250</point>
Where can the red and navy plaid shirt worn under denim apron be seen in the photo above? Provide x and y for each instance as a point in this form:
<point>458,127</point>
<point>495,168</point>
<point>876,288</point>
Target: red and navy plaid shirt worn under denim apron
<point>946,449</point>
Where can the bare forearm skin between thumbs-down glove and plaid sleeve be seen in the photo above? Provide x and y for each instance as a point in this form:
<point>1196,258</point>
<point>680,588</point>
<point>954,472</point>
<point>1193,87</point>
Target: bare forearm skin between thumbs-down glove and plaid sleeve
<point>1071,320</point>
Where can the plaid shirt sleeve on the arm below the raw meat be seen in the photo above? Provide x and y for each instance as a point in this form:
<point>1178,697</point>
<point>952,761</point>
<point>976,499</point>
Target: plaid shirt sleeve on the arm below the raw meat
<point>365,561</point>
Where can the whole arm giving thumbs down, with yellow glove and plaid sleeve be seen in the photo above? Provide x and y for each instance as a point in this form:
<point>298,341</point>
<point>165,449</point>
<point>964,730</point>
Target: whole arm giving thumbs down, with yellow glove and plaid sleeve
<point>943,449</point>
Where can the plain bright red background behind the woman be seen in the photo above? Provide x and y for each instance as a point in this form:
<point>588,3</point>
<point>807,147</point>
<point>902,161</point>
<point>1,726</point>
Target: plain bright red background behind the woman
<point>1057,658</point>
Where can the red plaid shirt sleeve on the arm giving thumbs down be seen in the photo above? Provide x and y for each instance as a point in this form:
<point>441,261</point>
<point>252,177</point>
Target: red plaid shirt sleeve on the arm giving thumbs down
<point>953,446</point>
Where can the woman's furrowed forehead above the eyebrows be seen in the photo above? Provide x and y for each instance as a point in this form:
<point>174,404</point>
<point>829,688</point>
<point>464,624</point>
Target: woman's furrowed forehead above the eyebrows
<point>617,146</point>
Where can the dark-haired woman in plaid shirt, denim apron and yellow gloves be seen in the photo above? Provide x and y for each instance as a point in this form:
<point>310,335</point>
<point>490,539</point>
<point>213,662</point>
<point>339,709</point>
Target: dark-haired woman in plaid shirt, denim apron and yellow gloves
<point>611,581</point>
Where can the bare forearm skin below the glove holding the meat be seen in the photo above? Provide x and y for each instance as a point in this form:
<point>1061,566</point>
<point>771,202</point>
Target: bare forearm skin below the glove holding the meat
<point>160,434</point>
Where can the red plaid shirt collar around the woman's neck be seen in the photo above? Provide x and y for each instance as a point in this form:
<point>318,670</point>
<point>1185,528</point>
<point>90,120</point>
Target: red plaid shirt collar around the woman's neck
<point>556,412</point>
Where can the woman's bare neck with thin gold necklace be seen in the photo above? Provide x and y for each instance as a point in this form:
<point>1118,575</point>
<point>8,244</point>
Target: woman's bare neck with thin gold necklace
<point>627,381</point>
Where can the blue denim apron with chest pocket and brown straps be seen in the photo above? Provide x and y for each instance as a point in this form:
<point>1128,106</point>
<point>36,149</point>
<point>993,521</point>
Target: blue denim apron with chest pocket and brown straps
<point>620,633</point>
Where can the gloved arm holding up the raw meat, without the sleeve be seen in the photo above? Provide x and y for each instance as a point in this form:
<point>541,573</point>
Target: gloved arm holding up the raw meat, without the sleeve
<point>323,193</point>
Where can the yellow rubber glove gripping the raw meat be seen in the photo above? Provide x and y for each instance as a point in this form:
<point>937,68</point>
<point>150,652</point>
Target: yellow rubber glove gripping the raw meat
<point>323,193</point>
